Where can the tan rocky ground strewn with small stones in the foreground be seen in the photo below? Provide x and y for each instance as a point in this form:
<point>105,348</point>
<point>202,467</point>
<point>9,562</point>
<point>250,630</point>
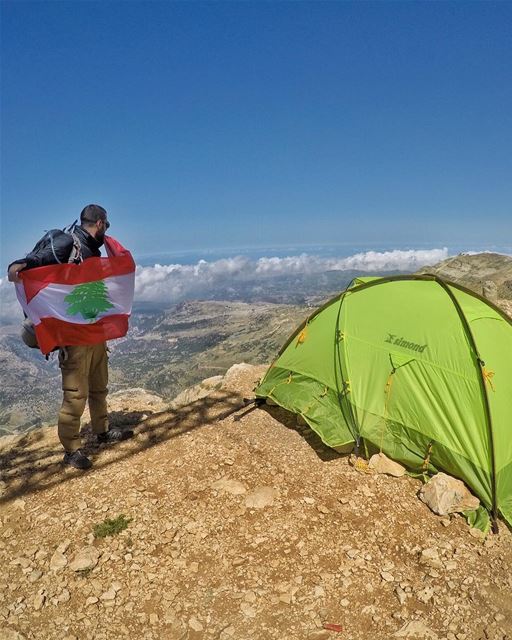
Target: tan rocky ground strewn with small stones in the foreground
<point>242,526</point>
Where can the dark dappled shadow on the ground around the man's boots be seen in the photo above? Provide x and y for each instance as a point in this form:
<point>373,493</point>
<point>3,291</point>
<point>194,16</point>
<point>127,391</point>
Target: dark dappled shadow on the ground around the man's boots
<point>35,462</point>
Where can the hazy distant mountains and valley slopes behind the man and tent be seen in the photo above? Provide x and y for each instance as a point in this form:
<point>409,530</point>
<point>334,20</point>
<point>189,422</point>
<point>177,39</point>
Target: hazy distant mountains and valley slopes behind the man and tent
<point>172,347</point>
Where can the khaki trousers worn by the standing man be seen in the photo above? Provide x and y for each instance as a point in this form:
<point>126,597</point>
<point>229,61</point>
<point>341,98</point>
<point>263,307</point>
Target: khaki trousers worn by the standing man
<point>84,377</point>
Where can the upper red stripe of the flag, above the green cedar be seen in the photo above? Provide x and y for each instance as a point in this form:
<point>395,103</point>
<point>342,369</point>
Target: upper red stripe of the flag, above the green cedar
<point>88,271</point>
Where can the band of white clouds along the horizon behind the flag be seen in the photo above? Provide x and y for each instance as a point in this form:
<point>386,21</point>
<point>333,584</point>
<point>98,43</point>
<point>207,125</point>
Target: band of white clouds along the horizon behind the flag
<point>175,282</point>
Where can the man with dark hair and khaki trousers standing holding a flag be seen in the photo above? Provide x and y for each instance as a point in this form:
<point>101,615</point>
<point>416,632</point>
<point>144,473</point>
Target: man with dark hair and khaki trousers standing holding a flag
<point>84,368</point>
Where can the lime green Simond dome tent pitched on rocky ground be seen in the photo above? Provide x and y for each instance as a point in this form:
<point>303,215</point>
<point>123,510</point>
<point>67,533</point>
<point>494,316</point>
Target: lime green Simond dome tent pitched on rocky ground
<point>414,366</point>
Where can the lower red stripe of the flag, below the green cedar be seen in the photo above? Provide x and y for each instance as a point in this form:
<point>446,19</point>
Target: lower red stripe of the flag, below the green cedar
<point>52,332</point>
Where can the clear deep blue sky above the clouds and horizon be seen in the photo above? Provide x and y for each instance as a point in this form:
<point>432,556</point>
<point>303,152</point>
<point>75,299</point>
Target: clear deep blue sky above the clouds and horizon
<point>204,125</point>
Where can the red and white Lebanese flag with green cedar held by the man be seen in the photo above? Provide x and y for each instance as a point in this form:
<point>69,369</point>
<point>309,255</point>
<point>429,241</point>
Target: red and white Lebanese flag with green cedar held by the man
<point>80,304</point>
